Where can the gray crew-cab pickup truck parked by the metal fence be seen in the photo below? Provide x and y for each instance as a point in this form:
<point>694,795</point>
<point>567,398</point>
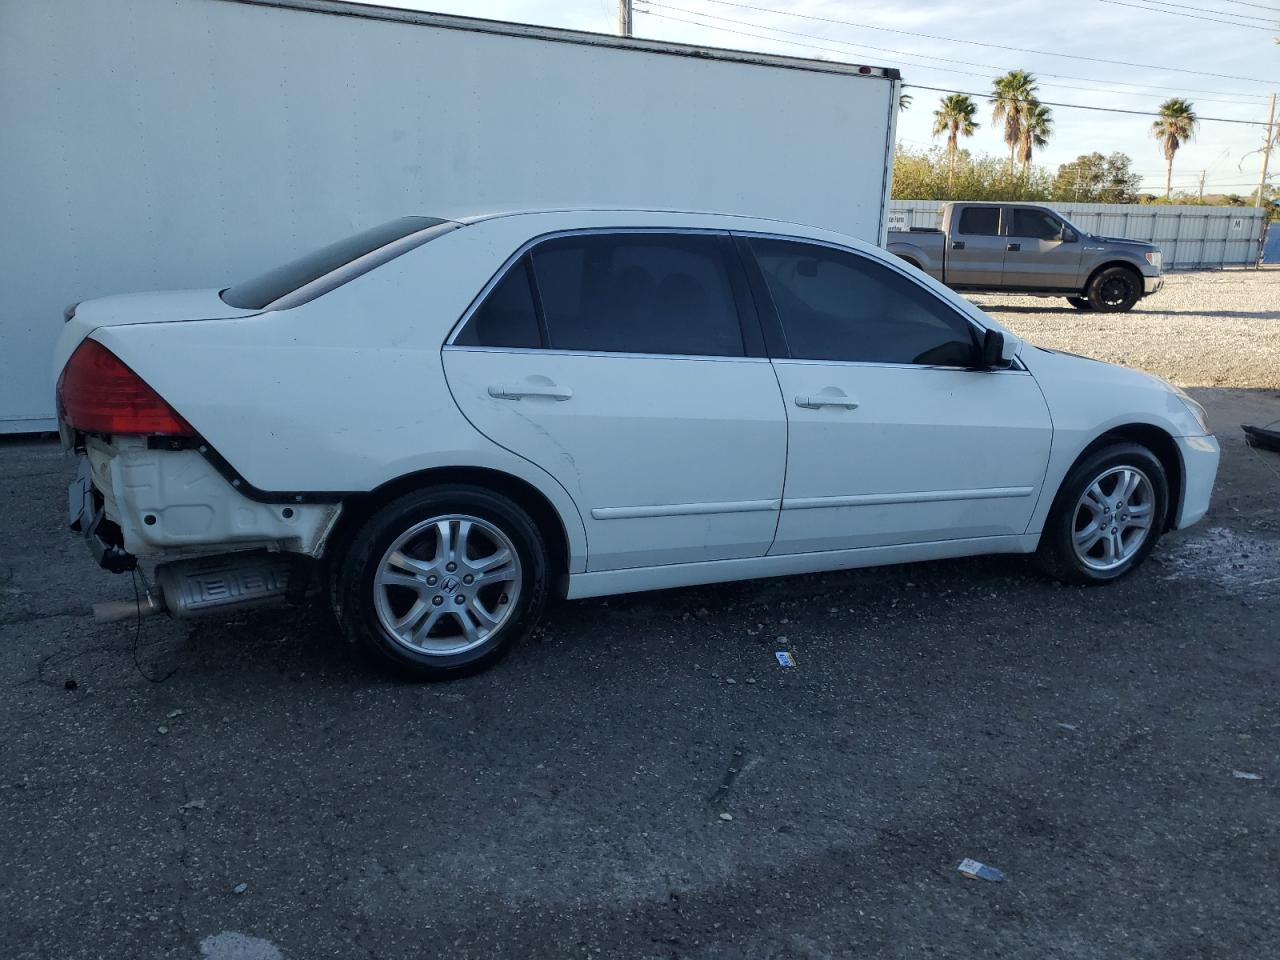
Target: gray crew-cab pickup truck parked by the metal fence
<point>1028,249</point>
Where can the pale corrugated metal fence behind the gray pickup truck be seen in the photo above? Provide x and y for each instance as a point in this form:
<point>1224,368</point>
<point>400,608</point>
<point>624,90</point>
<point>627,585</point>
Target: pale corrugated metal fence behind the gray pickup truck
<point>1191,237</point>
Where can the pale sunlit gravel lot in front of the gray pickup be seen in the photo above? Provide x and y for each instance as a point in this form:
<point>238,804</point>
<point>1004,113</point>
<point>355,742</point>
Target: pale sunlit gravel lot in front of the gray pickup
<point>1203,330</point>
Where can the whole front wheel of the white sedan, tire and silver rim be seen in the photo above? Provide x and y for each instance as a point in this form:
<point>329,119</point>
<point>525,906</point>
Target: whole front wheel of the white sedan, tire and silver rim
<point>1107,518</point>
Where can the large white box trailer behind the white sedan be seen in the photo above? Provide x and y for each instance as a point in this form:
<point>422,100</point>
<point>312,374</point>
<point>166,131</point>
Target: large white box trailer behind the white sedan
<point>181,144</point>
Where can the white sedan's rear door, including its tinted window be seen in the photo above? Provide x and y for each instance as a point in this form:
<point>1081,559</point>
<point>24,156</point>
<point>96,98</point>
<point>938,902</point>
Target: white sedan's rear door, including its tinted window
<point>620,363</point>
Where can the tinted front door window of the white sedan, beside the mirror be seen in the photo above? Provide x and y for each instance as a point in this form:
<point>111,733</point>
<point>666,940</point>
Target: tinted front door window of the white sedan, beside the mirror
<point>835,305</point>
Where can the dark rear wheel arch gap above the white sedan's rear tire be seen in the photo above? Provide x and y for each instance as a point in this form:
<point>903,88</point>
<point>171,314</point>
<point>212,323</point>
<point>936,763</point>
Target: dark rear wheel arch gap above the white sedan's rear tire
<point>359,508</point>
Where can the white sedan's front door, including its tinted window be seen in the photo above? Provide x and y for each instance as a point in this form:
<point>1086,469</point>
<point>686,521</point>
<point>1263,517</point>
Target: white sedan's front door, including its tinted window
<point>894,438</point>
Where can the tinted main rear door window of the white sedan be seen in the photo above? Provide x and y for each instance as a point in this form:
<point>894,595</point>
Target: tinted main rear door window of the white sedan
<point>638,294</point>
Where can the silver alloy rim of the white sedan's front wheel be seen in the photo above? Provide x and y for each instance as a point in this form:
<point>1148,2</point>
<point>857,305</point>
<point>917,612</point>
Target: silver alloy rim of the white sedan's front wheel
<point>1113,519</point>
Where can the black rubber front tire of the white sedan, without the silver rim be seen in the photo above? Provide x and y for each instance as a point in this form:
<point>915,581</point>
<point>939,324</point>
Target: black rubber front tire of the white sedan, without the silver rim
<point>1058,556</point>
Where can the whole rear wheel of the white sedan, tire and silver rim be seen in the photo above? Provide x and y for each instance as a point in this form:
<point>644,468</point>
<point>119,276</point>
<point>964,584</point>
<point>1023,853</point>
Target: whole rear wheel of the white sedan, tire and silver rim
<point>444,582</point>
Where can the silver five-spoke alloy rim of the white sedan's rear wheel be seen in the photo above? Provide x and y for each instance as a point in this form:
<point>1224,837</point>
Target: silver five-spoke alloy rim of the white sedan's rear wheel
<point>452,602</point>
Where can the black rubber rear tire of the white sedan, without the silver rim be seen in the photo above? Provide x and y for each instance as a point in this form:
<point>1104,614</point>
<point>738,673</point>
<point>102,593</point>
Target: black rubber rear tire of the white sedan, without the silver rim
<point>363,607</point>
